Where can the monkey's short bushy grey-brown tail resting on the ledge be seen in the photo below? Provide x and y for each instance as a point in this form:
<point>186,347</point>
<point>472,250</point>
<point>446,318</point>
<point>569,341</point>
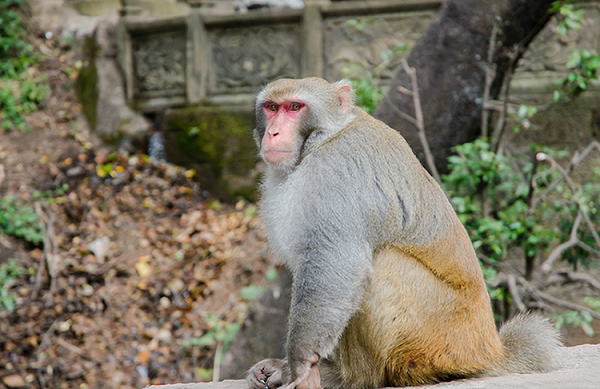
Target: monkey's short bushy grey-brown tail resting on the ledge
<point>531,344</point>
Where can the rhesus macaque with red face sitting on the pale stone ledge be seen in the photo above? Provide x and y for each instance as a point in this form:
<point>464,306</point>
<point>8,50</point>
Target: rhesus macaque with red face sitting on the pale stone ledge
<point>387,288</point>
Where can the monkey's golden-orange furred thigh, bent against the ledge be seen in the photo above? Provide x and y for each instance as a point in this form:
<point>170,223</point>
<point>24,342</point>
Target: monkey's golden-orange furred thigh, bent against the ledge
<point>415,329</point>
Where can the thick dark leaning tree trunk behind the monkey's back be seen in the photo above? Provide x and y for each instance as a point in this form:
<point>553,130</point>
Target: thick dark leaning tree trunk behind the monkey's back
<point>451,61</point>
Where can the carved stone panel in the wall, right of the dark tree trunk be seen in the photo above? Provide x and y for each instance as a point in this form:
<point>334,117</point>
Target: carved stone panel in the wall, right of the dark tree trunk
<point>549,51</point>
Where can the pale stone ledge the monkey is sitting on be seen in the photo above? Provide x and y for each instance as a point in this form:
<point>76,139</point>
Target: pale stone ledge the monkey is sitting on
<point>581,371</point>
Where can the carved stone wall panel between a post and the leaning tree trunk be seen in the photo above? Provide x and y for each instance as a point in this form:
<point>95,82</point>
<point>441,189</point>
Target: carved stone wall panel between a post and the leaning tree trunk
<point>360,47</point>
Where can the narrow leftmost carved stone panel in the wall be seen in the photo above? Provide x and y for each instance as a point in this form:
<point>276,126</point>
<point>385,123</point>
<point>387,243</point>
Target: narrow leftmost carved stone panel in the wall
<point>159,61</point>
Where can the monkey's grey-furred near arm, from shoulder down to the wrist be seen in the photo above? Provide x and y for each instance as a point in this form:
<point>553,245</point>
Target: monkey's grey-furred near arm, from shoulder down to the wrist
<point>332,260</point>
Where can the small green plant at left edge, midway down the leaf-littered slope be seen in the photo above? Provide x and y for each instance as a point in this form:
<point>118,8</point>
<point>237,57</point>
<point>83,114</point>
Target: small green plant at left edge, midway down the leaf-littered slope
<point>20,220</point>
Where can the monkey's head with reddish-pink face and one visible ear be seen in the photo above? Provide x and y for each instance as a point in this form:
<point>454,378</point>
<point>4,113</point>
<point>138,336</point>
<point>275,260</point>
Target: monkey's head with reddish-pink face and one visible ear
<point>292,116</point>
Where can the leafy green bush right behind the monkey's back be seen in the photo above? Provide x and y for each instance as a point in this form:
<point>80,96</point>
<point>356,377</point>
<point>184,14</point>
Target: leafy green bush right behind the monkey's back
<point>494,194</point>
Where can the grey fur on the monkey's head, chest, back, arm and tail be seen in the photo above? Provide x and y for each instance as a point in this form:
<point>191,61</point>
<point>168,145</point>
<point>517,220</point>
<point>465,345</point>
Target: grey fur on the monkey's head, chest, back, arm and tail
<point>354,188</point>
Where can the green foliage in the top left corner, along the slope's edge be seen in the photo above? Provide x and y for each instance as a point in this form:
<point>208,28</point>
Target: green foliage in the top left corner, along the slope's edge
<point>20,92</point>
